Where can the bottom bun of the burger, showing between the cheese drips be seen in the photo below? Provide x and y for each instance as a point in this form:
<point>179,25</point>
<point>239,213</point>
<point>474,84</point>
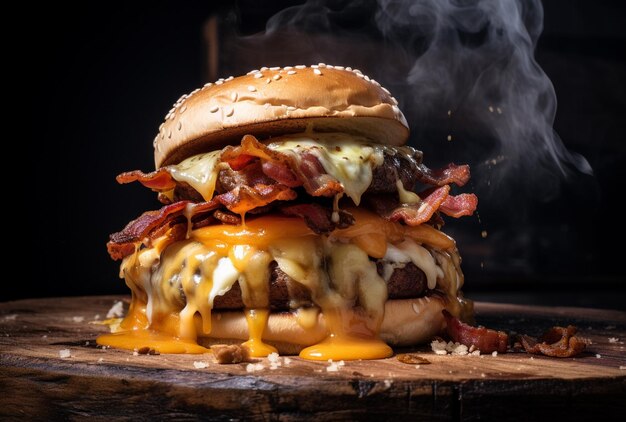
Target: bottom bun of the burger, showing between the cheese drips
<point>406,322</point>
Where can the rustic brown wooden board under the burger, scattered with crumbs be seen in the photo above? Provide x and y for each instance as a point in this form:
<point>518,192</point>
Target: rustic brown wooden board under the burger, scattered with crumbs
<point>36,382</point>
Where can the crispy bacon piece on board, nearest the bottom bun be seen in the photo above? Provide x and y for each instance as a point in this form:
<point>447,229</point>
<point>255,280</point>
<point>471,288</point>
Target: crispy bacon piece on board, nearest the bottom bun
<point>484,339</point>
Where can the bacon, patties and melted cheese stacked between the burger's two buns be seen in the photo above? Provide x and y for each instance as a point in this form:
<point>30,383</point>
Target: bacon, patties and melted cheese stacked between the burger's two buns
<point>325,228</point>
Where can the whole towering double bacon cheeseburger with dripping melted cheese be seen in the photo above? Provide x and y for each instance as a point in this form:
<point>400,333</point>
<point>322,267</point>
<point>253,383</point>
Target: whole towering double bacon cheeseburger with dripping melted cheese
<point>295,219</point>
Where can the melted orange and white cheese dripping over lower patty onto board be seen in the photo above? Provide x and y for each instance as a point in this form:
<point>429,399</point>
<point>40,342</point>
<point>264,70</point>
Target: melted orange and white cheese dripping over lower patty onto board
<point>174,286</point>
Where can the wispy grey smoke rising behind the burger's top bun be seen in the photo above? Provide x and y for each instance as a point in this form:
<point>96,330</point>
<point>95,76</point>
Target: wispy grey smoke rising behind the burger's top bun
<point>463,71</point>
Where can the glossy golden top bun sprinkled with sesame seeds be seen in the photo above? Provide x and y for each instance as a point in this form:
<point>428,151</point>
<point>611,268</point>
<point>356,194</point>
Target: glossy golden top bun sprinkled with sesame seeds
<point>277,101</point>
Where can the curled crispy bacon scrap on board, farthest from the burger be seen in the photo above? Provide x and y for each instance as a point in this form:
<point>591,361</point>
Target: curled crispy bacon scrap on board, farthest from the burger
<point>559,342</point>
